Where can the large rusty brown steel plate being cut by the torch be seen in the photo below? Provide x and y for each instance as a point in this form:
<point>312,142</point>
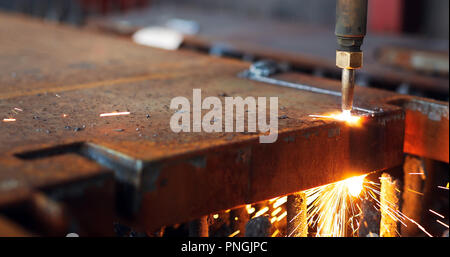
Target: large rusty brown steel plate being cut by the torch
<point>56,81</point>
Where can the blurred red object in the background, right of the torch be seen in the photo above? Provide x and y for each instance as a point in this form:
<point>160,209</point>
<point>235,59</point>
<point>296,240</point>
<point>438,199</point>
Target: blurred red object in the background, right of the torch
<point>386,16</point>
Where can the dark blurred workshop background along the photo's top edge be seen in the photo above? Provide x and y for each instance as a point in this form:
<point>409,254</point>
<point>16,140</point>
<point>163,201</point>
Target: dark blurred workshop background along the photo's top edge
<point>421,17</point>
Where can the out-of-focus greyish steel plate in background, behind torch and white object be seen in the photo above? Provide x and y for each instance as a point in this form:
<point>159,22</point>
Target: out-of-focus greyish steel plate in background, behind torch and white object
<point>302,45</point>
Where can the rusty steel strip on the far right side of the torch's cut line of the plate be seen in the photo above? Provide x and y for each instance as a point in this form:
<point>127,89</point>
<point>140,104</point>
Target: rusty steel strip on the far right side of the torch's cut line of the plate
<point>426,123</point>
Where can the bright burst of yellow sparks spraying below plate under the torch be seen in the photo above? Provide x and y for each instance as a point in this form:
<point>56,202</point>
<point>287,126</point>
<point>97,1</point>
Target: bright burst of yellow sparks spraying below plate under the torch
<point>335,207</point>
